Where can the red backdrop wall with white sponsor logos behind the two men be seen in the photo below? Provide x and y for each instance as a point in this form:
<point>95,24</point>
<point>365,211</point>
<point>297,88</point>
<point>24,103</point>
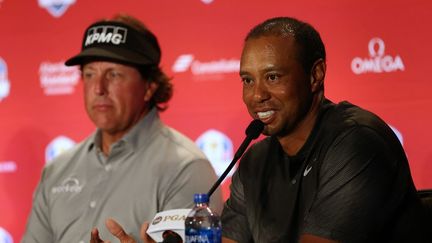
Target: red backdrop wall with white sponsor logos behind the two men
<point>378,61</point>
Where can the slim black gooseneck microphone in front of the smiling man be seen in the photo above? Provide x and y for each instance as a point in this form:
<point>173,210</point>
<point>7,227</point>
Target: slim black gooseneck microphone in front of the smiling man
<point>252,132</point>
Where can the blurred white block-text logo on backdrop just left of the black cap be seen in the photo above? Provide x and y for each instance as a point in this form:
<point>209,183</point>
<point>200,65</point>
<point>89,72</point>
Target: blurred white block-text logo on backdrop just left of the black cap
<point>58,79</point>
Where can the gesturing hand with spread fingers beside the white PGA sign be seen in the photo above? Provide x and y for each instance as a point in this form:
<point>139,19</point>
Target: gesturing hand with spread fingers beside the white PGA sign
<point>117,230</point>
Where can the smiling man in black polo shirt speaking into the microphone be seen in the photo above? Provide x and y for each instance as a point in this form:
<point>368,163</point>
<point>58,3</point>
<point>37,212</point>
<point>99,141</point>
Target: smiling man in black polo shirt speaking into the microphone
<point>327,172</point>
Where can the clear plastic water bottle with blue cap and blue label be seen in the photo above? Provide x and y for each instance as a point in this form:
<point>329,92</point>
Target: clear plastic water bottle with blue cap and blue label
<point>202,225</point>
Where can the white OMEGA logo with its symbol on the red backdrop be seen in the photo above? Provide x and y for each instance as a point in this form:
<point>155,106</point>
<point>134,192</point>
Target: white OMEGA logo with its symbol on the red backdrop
<point>377,62</point>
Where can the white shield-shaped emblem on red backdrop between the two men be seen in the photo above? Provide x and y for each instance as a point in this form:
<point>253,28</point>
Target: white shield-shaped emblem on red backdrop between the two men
<point>218,148</point>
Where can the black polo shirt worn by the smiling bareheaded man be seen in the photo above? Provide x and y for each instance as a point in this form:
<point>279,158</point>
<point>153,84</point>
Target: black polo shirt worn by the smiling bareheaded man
<point>350,182</point>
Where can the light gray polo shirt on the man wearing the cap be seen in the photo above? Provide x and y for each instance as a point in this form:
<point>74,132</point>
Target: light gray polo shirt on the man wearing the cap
<point>152,168</point>
